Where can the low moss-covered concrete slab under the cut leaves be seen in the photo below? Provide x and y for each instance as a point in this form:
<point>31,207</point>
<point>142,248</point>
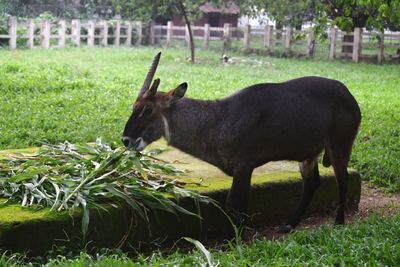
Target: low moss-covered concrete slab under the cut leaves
<point>276,190</point>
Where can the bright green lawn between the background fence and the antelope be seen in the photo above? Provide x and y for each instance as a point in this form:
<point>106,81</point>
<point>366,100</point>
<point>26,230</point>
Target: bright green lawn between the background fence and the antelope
<point>80,94</point>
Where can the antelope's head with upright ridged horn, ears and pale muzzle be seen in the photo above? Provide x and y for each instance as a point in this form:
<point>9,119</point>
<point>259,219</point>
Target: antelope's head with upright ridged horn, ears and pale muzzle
<point>147,122</point>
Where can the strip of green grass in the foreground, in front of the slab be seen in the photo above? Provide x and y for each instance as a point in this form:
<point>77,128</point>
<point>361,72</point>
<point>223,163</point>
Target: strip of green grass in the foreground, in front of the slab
<point>372,242</point>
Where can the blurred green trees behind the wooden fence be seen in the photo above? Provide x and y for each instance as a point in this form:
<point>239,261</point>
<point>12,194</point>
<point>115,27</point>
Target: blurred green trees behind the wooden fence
<point>346,14</point>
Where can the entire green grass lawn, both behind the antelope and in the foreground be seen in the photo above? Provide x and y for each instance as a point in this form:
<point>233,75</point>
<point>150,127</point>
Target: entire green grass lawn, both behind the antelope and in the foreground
<point>80,94</point>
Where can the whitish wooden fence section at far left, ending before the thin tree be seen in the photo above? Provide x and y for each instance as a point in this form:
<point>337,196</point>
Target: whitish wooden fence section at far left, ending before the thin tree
<point>47,34</point>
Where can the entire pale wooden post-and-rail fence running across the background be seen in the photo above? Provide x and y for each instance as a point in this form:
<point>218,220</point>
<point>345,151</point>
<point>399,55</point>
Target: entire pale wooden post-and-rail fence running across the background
<point>48,34</point>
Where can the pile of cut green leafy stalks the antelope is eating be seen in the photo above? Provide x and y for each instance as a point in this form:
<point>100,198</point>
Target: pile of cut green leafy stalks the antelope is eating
<point>69,176</point>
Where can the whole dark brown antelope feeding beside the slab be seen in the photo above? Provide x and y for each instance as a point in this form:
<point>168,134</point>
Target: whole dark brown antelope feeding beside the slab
<point>293,120</point>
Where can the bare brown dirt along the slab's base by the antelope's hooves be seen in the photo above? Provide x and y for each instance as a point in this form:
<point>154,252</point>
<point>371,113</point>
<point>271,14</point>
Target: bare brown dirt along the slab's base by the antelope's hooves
<point>373,200</point>
